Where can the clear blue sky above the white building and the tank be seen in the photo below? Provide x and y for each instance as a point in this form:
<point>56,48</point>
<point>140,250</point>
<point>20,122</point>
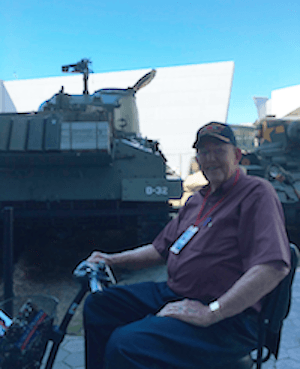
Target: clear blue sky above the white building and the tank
<point>261,37</point>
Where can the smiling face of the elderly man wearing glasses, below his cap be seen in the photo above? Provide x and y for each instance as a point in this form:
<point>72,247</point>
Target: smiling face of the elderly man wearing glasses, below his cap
<point>218,160</point>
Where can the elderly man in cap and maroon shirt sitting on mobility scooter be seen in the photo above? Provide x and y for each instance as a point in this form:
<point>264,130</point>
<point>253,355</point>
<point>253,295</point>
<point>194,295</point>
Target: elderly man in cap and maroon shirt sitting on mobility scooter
<point>226,250</point>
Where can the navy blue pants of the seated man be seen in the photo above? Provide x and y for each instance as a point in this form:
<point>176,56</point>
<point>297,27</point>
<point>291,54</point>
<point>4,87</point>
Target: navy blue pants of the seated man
<point>122,332</point>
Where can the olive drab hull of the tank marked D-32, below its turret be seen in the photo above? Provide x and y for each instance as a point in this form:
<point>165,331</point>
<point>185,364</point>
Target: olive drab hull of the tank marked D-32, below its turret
<point>53,160</point>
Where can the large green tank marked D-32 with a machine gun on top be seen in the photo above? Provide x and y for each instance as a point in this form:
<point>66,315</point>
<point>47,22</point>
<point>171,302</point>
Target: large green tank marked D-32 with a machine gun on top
<point>78,171</point>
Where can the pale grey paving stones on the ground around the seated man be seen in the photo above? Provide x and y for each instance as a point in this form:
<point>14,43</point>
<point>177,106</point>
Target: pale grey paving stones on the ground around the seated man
<point>71,354</point>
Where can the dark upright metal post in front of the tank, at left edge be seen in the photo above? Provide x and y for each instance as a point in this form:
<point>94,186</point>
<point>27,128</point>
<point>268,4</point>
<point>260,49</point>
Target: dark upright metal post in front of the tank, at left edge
<point>8,255</point>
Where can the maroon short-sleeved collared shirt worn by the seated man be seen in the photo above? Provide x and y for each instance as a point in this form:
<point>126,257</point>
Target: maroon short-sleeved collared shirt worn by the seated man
<point>246,229</point>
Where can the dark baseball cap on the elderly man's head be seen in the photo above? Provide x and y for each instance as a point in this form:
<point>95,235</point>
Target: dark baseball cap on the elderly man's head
<point>221,131</point>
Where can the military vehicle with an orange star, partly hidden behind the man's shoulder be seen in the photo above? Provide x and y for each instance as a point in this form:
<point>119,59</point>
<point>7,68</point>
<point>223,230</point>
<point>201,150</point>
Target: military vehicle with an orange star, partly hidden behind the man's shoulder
<point>277,158</point>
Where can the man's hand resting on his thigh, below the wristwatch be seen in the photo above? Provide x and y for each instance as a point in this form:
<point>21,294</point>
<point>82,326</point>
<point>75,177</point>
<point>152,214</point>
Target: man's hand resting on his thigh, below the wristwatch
<point>189,311</point>
